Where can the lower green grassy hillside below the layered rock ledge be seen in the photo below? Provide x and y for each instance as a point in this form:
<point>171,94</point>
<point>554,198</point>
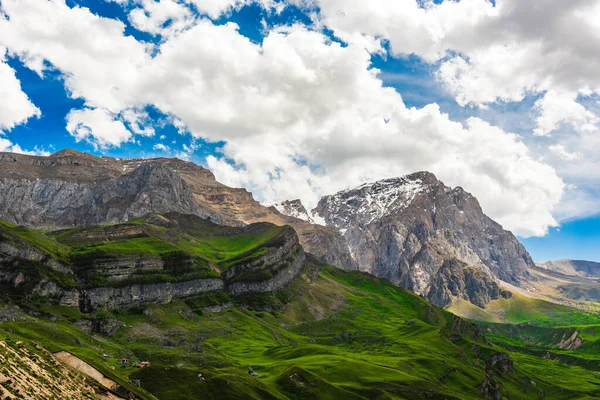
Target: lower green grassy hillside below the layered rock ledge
<point>346,335</point>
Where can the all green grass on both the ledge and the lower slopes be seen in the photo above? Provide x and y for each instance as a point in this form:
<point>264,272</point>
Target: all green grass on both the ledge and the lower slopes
<point>345,335</point>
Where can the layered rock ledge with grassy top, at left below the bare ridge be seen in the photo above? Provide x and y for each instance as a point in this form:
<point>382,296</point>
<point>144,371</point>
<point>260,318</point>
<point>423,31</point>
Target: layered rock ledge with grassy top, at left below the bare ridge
<point>96,278</point>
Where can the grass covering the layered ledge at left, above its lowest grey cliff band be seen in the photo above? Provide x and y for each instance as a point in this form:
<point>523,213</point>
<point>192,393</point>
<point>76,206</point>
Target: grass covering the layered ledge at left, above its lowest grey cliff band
<point>187,248</point>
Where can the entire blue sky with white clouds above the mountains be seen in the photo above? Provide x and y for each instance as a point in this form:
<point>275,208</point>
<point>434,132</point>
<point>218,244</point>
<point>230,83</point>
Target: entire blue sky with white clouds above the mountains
<point>302,98</point>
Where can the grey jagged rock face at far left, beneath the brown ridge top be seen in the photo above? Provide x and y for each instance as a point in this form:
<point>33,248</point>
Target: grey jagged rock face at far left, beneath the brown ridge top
<point>151,187</point>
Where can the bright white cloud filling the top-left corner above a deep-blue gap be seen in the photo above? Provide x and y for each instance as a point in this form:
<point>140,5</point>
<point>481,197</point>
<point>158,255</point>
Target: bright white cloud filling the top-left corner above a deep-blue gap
<point>98,62</point>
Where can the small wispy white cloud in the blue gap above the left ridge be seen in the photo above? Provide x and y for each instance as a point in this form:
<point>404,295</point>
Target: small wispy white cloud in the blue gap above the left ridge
<point>97,126</point>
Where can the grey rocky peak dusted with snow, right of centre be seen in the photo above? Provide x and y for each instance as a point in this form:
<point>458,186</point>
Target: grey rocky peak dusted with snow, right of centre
<point>422,234</point>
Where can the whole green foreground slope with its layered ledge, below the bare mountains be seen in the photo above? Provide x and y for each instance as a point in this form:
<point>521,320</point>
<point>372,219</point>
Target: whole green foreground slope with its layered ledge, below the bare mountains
<point>326,333</point>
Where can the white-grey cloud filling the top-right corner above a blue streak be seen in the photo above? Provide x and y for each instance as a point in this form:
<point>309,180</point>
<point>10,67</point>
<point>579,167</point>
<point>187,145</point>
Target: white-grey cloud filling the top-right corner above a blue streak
<point>512,47</point>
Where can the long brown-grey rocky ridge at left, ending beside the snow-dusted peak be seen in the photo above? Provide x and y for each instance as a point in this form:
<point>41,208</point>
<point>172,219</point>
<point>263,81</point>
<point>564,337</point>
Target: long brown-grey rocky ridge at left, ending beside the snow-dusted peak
<point>70,189</point>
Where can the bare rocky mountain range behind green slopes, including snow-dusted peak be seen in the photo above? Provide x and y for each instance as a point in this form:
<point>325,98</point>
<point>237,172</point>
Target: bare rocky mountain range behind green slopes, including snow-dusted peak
<point>413,230</point>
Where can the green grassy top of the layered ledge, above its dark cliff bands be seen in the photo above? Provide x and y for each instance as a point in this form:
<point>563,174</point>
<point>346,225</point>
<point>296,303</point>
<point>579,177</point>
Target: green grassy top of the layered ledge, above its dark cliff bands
<point>161,235</point>
